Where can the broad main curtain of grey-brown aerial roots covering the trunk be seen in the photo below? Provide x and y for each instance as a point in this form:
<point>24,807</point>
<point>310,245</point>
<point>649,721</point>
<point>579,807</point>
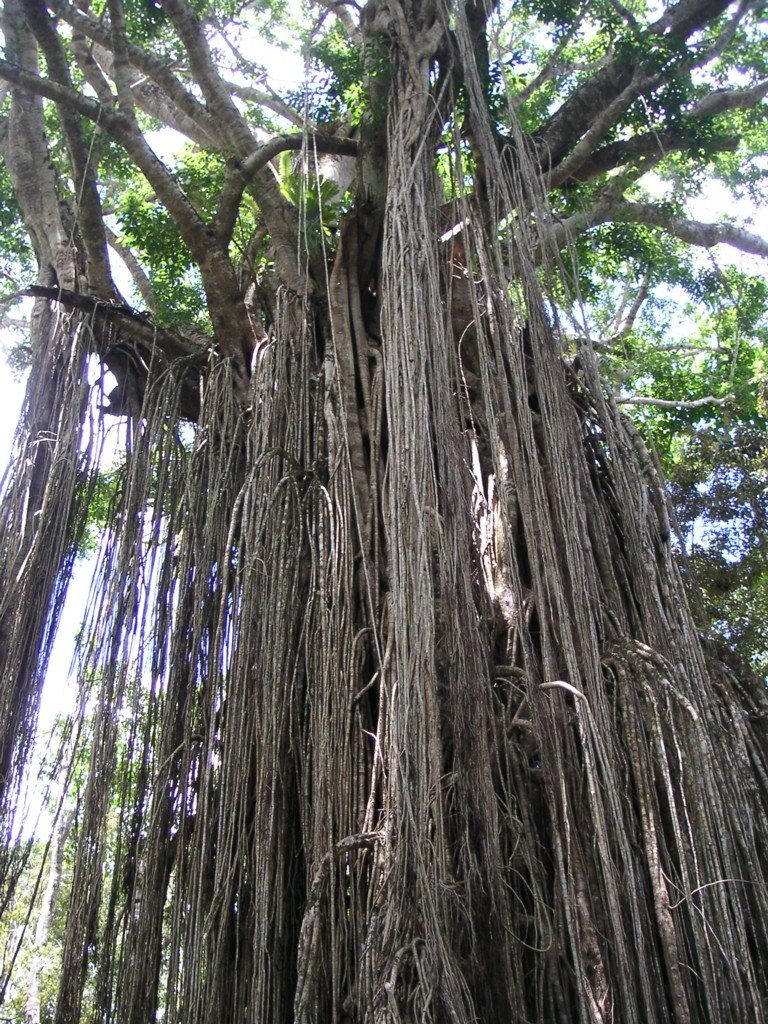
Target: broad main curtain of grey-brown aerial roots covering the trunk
<point>400,711</point>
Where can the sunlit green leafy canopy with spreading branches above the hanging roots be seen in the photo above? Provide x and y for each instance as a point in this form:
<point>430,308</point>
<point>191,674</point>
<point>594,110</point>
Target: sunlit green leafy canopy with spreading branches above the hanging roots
<point>629,112</point>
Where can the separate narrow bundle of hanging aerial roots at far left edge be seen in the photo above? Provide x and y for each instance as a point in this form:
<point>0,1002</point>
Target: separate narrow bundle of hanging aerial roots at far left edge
<point>44,510</point>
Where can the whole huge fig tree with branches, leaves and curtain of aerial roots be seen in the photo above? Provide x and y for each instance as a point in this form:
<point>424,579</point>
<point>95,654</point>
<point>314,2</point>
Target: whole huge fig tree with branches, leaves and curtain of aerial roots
<point>397,687</point>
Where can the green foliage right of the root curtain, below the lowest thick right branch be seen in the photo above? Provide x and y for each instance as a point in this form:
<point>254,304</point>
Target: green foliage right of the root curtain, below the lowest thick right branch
<point>705,337</point>
